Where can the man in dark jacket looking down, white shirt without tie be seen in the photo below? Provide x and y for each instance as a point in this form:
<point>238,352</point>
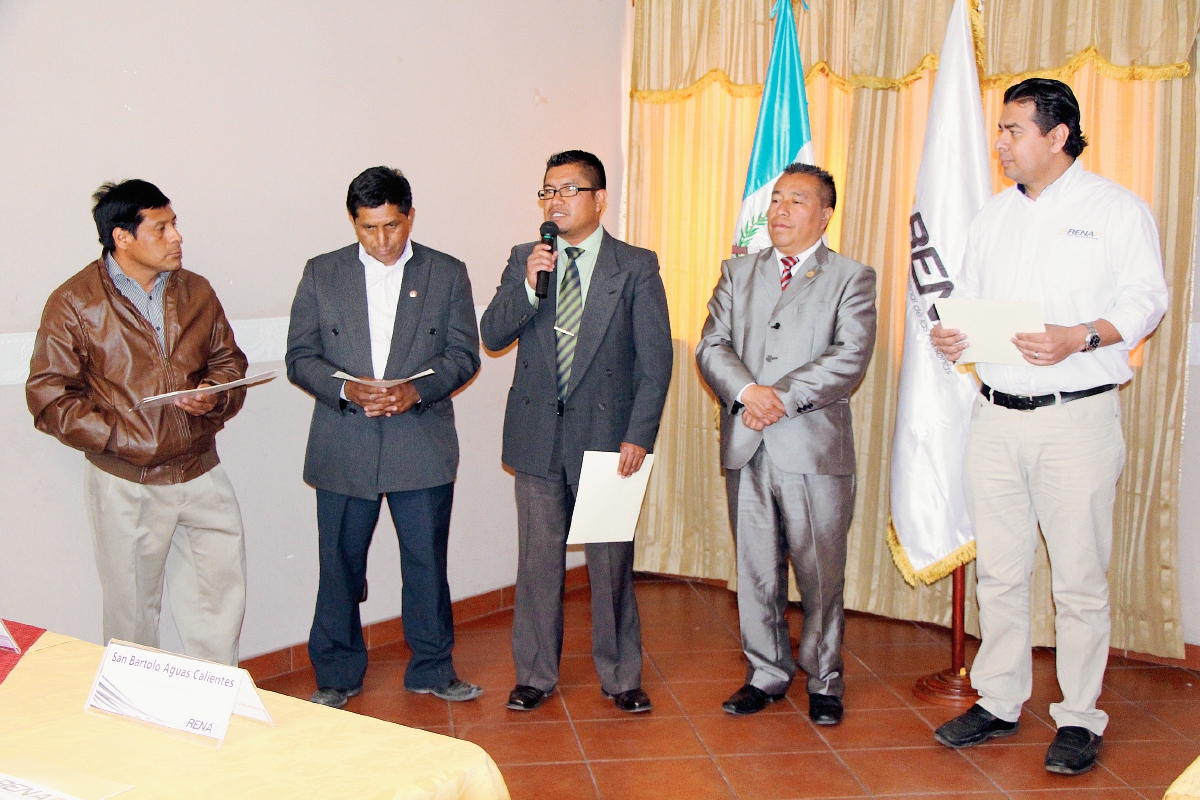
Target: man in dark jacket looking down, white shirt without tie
<point>383,309</point>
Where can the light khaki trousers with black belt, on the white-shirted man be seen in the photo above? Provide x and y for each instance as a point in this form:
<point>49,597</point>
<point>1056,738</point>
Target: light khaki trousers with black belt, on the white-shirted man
<point>1057,467</point>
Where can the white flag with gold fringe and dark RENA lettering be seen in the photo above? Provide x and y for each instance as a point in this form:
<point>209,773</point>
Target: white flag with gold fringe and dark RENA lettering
<point>931,533</point>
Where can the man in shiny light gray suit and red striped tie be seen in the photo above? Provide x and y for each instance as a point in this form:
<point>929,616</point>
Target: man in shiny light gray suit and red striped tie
<point>789,335</point>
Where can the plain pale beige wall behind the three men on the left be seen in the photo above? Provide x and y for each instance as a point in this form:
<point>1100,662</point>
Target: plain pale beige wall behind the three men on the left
<point>254,117</point>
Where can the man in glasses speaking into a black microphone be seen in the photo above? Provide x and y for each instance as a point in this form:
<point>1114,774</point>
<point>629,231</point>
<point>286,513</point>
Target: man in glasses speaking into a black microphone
<point>592,374</point>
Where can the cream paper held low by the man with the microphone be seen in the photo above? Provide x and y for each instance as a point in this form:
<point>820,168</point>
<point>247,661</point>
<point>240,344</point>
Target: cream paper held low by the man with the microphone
<point>608,506</point>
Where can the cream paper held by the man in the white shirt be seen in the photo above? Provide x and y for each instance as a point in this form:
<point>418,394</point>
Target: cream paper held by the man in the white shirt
<point>991,327</point>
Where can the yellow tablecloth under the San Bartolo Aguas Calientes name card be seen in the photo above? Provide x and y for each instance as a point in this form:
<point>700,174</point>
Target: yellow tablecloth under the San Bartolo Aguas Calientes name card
<point>311,753</point>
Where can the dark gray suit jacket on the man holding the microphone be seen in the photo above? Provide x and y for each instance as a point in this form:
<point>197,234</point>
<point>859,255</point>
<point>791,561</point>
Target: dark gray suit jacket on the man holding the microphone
<point>622,364</point>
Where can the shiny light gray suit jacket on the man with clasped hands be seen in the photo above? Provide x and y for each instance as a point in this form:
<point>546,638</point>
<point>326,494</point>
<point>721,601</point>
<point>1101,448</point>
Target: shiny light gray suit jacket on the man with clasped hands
<point>812,344</point>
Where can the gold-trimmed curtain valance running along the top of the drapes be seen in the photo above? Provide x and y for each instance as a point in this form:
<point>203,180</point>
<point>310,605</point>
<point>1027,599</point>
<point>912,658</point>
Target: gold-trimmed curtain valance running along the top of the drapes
<point>885,44</point>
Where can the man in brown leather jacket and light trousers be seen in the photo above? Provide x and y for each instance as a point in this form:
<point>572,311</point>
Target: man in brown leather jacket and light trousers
<point>131,326</point>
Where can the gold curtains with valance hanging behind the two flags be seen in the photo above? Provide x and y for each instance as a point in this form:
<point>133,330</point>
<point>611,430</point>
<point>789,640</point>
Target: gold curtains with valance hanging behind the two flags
<point>698,73</point>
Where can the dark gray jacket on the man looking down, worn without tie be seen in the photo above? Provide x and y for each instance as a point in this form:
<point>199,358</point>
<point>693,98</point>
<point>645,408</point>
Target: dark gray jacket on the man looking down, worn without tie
<point>350,453</point>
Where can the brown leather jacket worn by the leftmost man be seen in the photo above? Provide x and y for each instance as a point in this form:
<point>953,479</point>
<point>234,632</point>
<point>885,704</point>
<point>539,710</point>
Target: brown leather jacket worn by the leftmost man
<point>97,357</point>
